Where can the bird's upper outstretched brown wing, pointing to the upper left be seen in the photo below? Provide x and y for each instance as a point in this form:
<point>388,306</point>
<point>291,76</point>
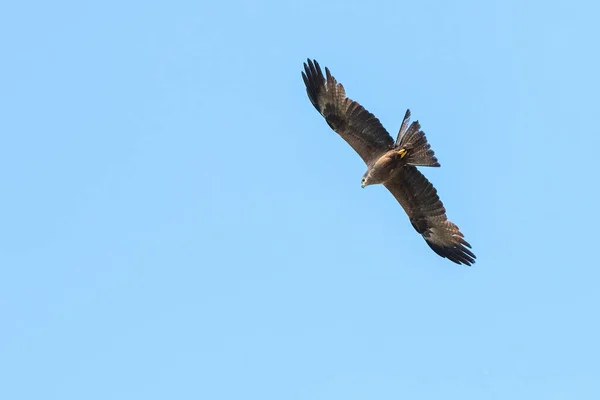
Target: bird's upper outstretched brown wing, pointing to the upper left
<point>361,129</point>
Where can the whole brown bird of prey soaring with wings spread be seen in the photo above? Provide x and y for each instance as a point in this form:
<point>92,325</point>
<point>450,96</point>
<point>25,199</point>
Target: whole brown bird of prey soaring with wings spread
<point>391,163</point>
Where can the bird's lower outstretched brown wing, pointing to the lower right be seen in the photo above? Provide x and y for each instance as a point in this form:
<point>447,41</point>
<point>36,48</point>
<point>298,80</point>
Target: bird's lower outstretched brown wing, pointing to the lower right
<point>427,214</point>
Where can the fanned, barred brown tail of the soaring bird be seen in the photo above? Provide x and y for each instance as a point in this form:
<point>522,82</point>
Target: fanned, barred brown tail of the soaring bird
<point>413,140</point>
